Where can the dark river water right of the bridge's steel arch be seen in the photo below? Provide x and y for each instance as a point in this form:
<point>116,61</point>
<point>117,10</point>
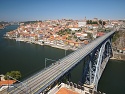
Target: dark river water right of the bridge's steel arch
<point>113,78</point>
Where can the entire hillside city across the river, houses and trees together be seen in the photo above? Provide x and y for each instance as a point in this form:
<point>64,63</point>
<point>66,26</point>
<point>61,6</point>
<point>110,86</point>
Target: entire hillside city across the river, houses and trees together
<point>64,33</point>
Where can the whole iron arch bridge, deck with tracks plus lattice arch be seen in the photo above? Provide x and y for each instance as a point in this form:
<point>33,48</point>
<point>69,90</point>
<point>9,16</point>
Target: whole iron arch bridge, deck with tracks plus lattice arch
<point>96,55</point>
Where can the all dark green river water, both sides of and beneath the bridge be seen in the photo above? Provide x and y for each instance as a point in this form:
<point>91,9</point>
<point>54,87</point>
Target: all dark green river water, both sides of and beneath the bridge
<point>30,58</point>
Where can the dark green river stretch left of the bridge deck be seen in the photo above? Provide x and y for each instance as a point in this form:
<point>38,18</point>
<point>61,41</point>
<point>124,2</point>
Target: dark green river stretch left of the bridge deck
<point>25,57</point>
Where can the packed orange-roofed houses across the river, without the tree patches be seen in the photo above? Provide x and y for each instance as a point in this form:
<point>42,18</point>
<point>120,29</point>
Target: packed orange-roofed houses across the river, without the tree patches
<point>46,32</point>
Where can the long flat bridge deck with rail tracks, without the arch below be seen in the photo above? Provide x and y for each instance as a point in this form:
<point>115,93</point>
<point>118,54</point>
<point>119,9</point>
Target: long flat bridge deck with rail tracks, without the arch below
<point>44,78</point>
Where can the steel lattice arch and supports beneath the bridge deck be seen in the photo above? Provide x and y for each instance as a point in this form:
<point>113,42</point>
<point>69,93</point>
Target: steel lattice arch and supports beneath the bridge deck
<point>95,63</point>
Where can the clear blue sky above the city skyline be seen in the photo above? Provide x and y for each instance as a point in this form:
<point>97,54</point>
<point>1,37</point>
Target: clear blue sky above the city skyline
<point>29,10</point>
